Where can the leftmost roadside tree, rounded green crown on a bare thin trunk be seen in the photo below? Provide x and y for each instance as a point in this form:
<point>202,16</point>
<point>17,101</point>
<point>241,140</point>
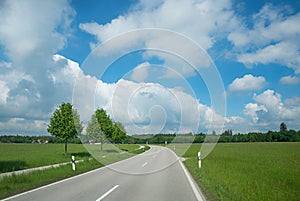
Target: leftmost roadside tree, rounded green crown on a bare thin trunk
<point>65,123</point>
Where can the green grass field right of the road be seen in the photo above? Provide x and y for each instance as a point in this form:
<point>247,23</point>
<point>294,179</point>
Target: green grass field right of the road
<point>248,171</point>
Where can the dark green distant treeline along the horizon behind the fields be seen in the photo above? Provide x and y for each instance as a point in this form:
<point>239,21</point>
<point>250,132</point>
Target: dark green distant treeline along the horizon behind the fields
<point>227,136</point>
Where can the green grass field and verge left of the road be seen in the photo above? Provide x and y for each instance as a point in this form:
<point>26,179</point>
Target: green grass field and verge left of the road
<point>23,156</point>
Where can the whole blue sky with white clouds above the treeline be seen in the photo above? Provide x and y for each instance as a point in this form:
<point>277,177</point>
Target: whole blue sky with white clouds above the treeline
<point>161,66</point>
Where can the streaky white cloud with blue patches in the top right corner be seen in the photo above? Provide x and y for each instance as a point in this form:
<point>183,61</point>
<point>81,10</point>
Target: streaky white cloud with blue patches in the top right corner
<point>272,39</point>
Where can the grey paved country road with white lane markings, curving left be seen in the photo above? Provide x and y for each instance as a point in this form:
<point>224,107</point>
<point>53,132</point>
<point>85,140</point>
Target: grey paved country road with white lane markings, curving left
<point>156,175</point>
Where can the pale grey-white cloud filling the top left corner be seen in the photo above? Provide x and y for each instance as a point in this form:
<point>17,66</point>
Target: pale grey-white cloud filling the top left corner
<point>22,34</point>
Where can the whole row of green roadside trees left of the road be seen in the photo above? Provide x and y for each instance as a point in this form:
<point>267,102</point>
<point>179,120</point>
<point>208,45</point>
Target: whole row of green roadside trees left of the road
<point>65,124</point>
